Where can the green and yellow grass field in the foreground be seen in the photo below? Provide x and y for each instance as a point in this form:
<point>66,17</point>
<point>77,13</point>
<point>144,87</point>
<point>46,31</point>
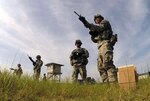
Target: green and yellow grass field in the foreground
<point>26,89</point>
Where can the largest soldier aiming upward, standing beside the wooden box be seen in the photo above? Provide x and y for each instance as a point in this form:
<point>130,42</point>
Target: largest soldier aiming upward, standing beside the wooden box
<point>102,34</point>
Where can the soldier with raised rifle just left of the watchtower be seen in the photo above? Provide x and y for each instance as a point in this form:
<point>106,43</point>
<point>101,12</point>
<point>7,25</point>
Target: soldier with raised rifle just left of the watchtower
<point>37,66</point>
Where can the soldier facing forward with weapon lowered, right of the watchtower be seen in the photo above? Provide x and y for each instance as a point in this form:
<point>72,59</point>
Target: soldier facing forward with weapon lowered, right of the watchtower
<point>78,60</point>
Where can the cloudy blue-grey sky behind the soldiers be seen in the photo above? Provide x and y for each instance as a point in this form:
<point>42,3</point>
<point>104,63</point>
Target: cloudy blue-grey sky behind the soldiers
<point>49,28</point>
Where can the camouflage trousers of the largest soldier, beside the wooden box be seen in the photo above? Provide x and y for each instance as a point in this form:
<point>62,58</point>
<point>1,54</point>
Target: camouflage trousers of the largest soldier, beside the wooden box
<point>106,67</point>
